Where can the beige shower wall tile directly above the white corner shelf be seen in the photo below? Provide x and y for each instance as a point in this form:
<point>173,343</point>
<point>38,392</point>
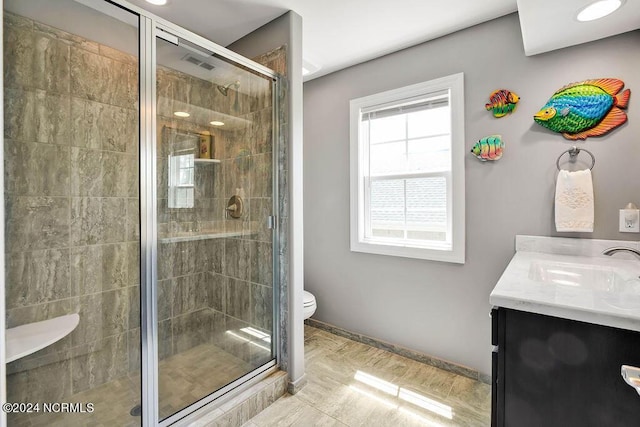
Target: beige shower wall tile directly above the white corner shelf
<point>37,277</point>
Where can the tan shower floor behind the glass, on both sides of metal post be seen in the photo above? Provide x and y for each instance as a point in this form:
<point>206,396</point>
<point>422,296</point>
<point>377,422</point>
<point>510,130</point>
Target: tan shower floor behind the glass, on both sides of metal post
<point>184,379</point>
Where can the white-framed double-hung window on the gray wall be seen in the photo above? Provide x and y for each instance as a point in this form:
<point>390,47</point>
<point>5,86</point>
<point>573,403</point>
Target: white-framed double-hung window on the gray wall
<point>407,171</point>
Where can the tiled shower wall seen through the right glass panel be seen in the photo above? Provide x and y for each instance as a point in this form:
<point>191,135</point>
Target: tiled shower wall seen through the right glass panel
<point>209,287</point>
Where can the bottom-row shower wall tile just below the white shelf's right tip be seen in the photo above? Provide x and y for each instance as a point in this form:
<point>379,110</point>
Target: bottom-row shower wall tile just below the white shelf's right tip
<point>98,362</point>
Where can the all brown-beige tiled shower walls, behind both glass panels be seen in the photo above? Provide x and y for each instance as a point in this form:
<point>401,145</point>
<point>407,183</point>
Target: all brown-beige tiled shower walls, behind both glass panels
<point>71,152</point>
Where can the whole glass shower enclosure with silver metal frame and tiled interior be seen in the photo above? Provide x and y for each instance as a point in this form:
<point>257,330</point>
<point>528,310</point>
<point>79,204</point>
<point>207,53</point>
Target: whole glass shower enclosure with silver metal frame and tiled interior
<point>140,206</point>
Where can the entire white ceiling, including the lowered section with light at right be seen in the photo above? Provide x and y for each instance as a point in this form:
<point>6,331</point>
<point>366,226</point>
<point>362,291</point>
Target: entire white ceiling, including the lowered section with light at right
<point>339,33</point>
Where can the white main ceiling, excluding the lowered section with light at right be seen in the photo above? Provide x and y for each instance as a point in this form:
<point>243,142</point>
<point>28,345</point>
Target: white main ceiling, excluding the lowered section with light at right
<point>336,33</point>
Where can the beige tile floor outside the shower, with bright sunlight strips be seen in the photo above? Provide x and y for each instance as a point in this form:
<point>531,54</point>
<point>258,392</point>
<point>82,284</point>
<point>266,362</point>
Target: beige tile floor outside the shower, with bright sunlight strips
<point>353,384</point>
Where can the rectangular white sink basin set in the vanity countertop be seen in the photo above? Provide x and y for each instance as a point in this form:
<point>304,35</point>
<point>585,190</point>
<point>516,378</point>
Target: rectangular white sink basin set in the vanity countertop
<point>595,277</point>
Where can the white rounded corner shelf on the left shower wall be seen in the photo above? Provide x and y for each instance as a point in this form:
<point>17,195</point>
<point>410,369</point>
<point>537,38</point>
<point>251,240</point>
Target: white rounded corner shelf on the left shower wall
<point>26,339</point>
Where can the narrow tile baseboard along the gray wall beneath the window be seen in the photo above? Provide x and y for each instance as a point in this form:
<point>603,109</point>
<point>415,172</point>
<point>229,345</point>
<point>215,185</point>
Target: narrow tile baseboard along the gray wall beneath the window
<point>401,351</point>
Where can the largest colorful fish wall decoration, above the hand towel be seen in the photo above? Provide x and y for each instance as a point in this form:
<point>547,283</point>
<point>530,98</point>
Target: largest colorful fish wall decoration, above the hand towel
<point>588,108</point>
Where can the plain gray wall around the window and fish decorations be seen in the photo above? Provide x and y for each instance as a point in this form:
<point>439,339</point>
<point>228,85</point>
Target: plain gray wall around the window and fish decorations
<point>438,308</point>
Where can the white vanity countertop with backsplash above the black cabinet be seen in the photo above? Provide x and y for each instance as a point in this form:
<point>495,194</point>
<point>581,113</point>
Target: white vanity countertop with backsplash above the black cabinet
<point>616,304</point>
